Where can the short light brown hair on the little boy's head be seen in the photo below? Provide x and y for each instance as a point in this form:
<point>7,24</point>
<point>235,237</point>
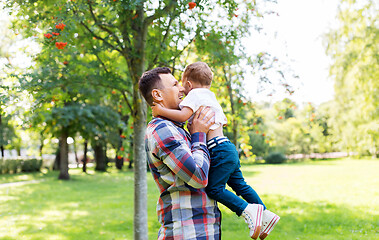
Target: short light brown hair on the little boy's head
<point>199,72</point>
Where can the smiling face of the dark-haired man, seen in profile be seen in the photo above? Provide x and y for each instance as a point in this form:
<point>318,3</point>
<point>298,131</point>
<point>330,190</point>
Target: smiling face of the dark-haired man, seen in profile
<point>172,92</point>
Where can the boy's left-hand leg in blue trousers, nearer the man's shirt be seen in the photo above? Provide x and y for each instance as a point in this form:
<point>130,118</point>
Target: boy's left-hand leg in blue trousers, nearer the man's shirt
<point>223,164</point>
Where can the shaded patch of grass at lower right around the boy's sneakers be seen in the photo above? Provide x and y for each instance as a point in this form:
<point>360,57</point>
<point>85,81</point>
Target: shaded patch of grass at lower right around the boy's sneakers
<point>308,220</point>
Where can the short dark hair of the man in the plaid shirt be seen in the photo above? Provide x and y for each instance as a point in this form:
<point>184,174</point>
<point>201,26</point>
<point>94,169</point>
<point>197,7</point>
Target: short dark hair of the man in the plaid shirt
<point>151,80</point>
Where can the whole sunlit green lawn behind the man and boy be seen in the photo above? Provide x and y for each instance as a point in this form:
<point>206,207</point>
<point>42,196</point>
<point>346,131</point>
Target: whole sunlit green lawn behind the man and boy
<point>317,200</point>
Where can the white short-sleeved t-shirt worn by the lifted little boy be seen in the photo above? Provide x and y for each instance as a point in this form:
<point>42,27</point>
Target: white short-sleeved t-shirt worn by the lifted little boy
<point>204,97</point>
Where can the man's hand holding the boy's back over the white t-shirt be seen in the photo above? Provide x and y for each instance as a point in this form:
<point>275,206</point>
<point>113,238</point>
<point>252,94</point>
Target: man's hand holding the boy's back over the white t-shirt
<point>201,121</point>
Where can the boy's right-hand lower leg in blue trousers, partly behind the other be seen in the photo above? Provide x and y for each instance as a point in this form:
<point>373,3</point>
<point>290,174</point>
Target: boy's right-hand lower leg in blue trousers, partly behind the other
<point>238,184</point>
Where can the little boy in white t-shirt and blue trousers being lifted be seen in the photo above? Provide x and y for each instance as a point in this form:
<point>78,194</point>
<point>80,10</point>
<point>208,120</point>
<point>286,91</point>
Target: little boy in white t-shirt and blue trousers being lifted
<point>225,164</point>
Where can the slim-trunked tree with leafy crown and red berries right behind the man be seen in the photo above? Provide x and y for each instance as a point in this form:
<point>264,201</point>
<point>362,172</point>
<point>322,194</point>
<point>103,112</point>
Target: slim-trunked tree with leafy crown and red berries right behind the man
<point>141,34</point>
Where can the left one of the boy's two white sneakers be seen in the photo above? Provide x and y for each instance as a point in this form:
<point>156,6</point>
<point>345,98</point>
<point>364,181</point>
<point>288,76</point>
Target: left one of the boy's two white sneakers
<point>253,217</point>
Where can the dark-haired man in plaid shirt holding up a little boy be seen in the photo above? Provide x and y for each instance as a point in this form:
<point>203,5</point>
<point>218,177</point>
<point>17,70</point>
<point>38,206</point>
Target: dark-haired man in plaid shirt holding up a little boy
<point>179,162</point>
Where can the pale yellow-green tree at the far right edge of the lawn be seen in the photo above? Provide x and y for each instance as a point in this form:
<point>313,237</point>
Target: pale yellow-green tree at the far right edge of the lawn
<point>353,46</point>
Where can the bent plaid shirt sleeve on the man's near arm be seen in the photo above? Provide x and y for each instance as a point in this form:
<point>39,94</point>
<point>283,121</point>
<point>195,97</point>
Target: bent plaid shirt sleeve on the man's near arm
<point>189,163</point>
